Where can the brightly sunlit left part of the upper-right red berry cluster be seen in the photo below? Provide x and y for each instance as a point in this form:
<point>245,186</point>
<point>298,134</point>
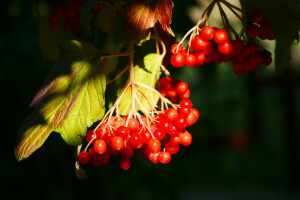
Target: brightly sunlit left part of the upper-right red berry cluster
<point>211,45</point>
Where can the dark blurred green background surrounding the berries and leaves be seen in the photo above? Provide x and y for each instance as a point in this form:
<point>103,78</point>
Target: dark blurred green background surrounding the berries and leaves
<point>245,144</point>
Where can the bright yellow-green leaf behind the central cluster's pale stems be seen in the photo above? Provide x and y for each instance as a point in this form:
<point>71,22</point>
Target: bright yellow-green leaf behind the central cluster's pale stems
<point>148,72</point>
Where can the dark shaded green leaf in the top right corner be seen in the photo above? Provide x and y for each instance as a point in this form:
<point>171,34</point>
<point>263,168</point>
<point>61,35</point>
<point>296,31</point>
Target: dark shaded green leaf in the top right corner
<point>285,18</point>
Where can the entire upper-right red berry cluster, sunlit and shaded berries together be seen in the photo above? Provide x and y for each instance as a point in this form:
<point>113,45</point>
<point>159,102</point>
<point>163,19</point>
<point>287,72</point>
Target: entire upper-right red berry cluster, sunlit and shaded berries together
<point>209,44</point>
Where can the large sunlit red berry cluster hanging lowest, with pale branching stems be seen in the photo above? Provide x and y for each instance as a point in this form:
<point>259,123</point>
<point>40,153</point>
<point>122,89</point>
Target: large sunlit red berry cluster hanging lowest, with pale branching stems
<point>156,135</point>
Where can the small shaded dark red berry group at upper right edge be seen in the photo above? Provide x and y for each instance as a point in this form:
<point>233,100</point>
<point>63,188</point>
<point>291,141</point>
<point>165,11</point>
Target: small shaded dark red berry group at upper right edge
<point>260,28</point>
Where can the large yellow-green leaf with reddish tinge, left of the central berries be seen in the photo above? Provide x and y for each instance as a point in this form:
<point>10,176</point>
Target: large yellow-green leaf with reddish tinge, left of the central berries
<point>71,99</point>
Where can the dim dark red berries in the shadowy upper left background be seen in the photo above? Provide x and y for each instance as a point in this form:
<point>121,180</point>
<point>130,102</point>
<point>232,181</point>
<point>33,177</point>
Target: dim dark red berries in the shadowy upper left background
<point>67,17</point>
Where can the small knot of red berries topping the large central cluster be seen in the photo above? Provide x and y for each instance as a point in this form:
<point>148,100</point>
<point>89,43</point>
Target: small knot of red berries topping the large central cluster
<point>174,89</point>
